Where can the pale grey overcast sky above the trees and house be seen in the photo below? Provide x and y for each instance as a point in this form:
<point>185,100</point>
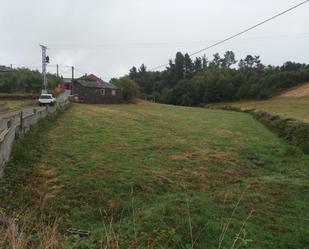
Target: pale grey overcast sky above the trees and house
<point>108,37</point>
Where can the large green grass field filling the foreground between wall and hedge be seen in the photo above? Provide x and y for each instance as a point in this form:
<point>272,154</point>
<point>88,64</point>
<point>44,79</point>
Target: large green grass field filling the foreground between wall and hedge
<point>158,176</point>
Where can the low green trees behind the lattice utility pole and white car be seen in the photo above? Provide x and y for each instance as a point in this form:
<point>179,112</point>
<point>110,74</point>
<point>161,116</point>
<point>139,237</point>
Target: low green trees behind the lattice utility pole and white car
<point>23,80</point>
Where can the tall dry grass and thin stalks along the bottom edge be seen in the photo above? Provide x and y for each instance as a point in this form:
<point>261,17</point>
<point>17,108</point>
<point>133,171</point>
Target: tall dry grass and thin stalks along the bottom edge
<point>33,231</point>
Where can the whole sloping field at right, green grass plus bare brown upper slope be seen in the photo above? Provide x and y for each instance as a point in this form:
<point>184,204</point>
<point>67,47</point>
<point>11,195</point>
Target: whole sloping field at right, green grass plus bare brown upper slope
<point>292,103</point>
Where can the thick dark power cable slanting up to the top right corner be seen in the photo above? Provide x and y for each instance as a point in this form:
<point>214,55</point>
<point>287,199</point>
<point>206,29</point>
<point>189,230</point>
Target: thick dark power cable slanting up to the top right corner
<point>240,33</point>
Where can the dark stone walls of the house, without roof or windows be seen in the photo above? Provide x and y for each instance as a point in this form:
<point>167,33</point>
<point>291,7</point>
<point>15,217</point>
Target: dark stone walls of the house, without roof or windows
<point>93,95</point>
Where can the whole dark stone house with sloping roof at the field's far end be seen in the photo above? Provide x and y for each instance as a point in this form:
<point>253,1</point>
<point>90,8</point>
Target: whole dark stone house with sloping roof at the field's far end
<point>93,90</point>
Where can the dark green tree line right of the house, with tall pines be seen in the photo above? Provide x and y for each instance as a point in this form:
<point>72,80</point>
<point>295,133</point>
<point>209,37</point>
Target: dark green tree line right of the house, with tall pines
<point>200,81</point>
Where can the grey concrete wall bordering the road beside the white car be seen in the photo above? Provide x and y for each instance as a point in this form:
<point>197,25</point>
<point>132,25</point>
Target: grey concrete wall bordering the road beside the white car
<point>19,123</point>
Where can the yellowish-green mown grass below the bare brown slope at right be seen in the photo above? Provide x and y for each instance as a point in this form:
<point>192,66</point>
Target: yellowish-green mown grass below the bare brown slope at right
<point>293,107</point>
